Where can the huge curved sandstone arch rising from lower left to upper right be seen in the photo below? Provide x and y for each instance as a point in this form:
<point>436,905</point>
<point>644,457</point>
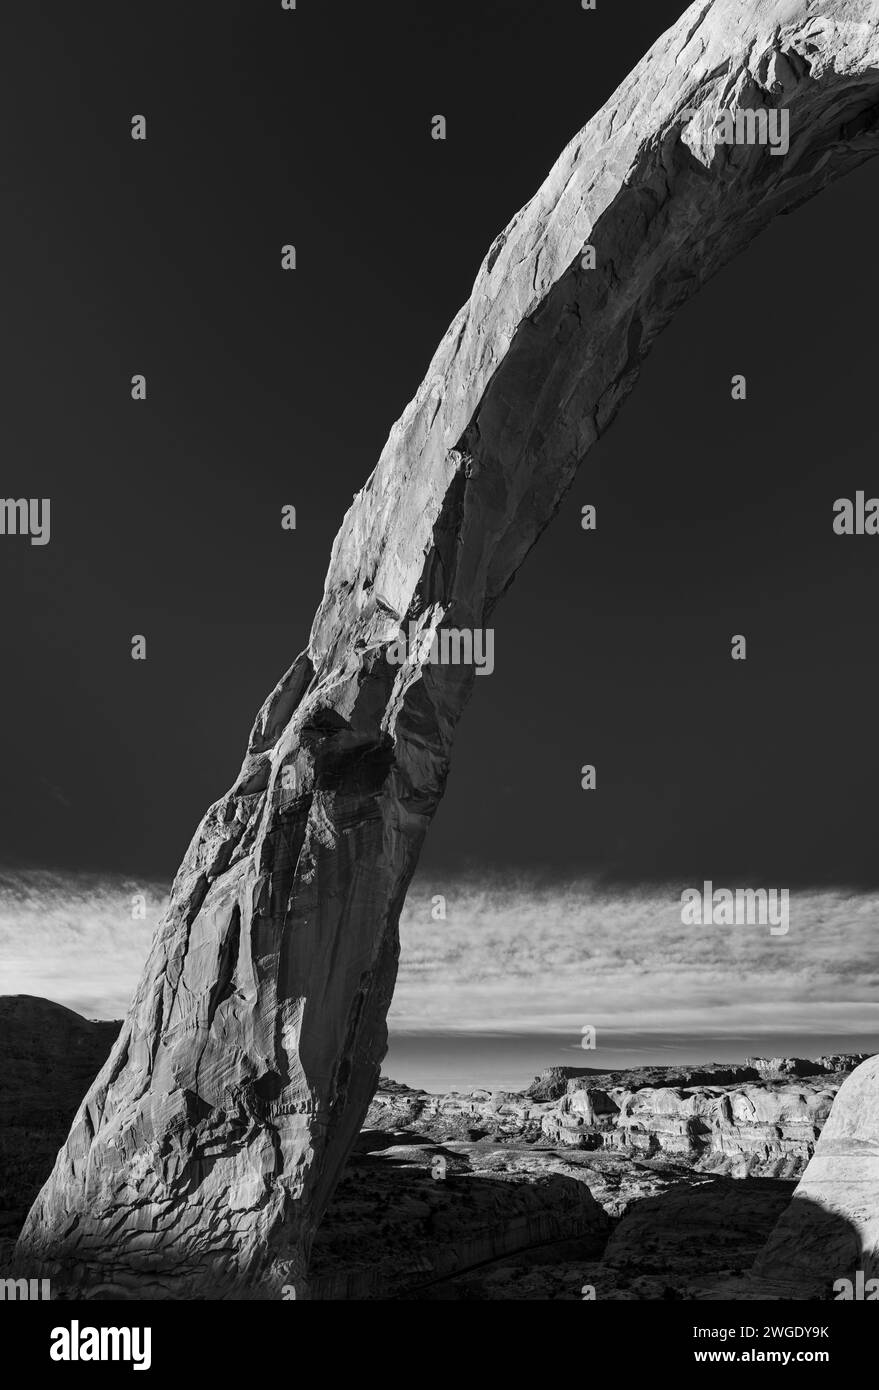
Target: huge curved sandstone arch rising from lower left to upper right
<point>207,1152</point>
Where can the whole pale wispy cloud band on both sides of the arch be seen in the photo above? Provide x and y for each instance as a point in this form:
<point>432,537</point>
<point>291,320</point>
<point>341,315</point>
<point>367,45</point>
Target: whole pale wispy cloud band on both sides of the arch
<point>513,954</point>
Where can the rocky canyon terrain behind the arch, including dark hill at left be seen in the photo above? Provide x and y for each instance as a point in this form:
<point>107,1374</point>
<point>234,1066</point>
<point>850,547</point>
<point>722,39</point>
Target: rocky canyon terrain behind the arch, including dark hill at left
<point>643,1184</point>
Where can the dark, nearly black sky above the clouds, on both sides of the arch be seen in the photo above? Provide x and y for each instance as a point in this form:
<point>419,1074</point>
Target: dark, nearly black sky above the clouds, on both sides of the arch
<point>269,389</point>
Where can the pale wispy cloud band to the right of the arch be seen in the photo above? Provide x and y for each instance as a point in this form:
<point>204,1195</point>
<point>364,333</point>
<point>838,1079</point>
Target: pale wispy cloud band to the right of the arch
<point>517,956</point>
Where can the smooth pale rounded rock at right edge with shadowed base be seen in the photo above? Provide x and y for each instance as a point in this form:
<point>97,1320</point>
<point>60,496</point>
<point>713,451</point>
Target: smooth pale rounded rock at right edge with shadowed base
<point>831,1231</point>
